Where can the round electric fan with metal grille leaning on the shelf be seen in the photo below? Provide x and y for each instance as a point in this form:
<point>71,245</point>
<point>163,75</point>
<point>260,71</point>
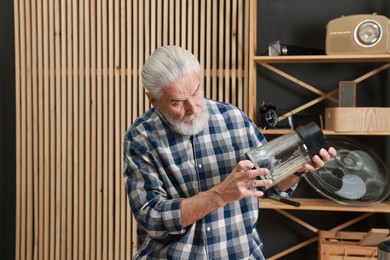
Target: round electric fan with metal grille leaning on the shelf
<point>355,176</point>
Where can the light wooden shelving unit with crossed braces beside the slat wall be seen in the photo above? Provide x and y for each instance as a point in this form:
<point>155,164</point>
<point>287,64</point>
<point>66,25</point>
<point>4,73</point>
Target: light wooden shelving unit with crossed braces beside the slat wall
<point>268,62</point>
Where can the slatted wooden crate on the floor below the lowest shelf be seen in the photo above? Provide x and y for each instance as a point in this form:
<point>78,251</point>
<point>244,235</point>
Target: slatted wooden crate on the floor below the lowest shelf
<point>342,245</point>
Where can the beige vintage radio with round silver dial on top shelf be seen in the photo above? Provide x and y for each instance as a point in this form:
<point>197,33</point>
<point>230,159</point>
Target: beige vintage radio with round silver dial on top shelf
<point>358,34</point>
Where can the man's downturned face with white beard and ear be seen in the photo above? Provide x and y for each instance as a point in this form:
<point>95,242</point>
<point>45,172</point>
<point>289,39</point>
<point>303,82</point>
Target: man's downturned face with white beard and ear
<point>182,104</point>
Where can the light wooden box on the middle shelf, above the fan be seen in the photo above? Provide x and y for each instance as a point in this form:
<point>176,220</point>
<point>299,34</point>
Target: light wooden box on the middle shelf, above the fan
<point>357,119</point>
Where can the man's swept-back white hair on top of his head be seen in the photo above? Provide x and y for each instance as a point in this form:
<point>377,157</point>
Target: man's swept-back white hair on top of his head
<point>165,66</point>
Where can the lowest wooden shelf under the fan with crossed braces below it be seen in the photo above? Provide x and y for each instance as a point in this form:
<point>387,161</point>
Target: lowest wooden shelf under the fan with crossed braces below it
<point>320,205</point>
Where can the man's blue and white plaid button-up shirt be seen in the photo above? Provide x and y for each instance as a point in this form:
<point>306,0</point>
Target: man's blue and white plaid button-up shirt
<point>162,168</point>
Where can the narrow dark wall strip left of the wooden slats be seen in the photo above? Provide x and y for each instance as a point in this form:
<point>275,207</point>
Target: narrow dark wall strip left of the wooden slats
<point>7,131</point>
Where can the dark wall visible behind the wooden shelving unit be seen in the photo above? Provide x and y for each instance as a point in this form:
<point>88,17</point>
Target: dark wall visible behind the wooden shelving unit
<point>303,23</point>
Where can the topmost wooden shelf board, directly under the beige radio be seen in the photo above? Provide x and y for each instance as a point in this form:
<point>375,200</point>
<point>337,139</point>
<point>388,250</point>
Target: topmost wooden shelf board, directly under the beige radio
<point>323,58</point>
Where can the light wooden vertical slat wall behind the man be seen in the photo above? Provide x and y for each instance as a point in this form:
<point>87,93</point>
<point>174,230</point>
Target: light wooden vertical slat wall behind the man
<point>78,90</point>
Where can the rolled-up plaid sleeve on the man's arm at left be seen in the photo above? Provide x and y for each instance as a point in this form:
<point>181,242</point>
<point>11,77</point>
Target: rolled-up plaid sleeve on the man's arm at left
<point>157,214</point>
